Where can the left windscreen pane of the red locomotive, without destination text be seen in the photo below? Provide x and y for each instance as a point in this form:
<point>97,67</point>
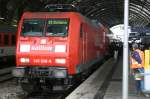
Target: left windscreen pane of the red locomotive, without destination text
<point>33,27</point>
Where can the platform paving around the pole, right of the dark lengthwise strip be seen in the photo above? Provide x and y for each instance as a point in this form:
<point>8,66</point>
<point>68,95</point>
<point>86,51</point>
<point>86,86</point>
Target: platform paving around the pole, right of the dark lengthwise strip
<point>114,90</point>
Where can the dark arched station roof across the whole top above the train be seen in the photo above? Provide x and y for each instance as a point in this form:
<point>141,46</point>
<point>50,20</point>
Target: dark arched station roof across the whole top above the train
<point>108,12</point>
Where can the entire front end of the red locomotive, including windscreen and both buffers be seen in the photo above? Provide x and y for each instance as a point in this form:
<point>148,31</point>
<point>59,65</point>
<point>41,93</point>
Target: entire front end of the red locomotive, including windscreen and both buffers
<point>42,51</point>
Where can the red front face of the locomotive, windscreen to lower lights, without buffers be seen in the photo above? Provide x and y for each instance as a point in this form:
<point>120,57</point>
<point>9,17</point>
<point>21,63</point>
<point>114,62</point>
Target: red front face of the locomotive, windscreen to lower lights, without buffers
<point>42,44</point>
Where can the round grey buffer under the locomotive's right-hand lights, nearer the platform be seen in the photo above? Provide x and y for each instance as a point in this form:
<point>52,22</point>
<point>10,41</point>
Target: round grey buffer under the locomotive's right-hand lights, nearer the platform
<point>60,73</point>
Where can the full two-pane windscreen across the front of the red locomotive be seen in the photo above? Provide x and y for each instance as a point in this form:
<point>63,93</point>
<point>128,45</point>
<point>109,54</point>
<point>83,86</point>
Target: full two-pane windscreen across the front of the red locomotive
<point>52,27</point>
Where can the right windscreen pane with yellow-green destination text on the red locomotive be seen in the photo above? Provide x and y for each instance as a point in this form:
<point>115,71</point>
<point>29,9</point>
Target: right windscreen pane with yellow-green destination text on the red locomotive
<point>57,27</point>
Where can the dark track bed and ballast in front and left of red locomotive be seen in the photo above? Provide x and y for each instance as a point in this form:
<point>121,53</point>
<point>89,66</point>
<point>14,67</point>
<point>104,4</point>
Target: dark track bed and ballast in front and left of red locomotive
<point>13,91</point>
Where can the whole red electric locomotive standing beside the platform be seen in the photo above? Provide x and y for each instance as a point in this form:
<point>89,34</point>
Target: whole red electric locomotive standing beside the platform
<point>55,48</point>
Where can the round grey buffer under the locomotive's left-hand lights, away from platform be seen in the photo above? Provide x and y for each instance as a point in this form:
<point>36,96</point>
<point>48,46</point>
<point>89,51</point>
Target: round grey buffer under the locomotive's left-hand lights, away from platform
<point>18,72</point>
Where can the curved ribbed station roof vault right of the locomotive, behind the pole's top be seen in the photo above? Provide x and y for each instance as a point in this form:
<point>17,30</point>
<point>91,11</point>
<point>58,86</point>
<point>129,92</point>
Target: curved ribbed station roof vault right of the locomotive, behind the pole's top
<point>111,12</point>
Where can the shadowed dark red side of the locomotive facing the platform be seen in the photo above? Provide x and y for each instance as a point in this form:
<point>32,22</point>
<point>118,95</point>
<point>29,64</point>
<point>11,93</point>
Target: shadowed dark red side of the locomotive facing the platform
<point>91,45</point>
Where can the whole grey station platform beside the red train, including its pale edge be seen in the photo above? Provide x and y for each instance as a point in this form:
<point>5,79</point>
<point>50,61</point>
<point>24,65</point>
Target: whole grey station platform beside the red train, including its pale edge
<point>92,88</point>
